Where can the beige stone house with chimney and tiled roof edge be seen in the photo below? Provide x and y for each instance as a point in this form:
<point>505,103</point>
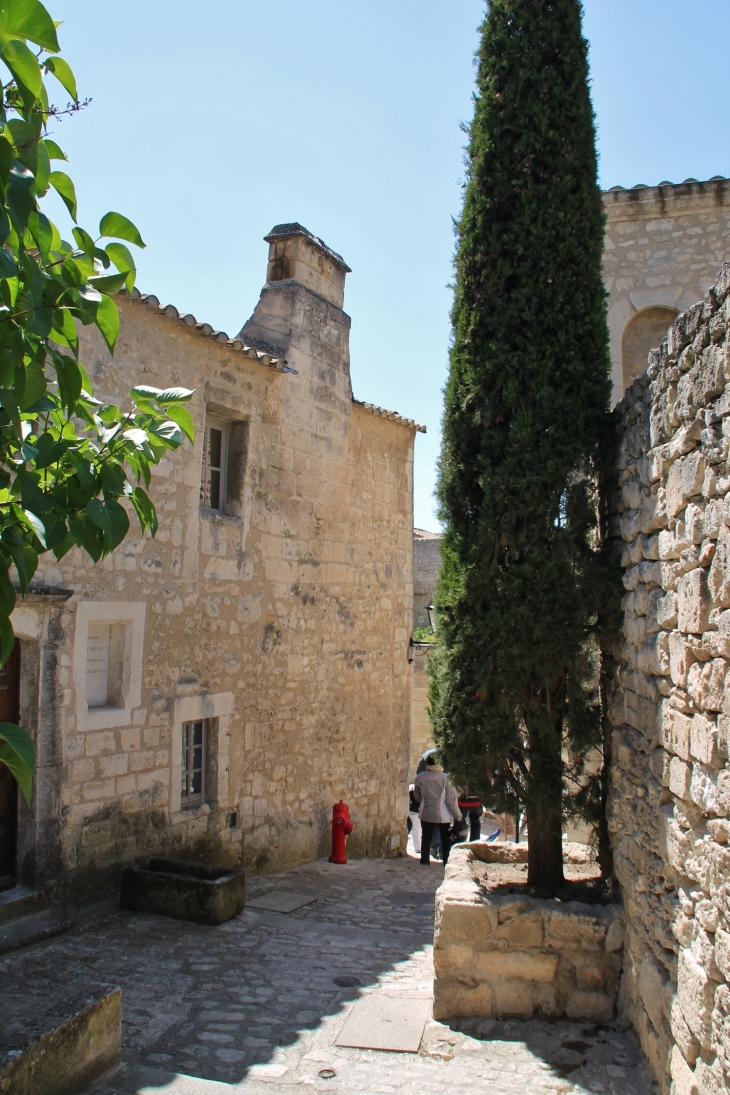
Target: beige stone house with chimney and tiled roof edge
<point>214,691</point>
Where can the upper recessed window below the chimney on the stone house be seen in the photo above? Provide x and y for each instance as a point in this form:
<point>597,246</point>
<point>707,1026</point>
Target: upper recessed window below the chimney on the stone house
<point>224,466</point>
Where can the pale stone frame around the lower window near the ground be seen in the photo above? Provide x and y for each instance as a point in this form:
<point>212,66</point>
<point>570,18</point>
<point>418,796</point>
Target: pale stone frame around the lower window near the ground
<point>216,709</point>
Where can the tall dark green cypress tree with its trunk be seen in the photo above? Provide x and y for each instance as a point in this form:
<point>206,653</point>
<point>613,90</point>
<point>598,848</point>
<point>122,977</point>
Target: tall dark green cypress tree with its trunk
<point>514,696</point>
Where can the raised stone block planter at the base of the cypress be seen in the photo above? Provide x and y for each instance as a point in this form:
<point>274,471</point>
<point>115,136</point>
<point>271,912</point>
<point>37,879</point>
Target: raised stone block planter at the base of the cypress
<point>508,956</point>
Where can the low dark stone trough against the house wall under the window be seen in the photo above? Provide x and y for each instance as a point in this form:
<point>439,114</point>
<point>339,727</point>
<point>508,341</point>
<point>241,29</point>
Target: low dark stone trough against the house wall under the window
<point>184,891</point>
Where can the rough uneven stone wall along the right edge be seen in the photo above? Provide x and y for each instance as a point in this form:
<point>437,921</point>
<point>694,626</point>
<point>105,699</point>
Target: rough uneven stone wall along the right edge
<point>671,701</point>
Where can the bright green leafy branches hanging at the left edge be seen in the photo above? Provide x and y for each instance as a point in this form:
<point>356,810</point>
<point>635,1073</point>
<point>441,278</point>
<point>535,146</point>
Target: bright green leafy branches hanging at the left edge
<point>68,460</point>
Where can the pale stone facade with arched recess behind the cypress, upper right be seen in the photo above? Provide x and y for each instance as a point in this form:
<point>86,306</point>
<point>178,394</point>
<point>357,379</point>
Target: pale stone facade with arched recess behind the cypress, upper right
<point>664,248</point>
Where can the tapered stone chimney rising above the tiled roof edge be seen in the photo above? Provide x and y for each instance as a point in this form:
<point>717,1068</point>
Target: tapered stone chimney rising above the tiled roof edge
<point>300,314</point>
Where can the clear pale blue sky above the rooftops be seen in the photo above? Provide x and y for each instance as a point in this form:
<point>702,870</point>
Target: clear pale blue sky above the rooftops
<point>211,125</point>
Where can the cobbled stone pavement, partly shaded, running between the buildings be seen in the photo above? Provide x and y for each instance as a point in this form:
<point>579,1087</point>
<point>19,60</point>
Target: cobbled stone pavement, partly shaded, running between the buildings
<point>254,1007</point>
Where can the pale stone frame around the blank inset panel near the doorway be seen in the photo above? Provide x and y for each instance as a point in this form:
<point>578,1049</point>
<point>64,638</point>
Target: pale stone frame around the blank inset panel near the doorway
<point>131,614</point>
